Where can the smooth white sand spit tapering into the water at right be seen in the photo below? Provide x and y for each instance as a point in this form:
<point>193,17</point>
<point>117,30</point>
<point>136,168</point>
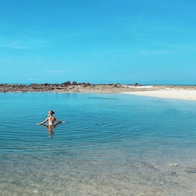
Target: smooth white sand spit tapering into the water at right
<point>183,94</point>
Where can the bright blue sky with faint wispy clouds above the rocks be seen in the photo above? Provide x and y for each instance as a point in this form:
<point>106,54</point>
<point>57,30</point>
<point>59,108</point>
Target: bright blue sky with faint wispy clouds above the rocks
<point>98,41</point>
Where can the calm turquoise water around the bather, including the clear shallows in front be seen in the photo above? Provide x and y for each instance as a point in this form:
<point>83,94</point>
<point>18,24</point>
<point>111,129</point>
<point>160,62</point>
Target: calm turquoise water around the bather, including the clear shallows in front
<point>111,144</point>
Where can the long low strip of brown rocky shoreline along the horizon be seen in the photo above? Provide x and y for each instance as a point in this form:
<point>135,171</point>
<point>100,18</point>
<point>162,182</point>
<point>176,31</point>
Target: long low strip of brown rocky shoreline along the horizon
<point>85,87</point>
